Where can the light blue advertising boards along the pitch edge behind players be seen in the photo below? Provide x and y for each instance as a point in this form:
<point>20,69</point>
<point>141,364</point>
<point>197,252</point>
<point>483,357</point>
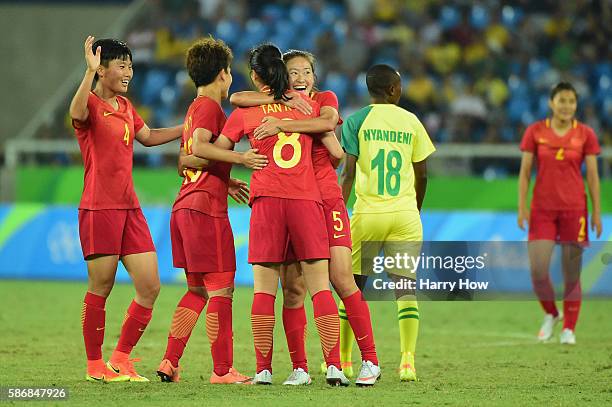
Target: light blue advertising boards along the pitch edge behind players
<point>40,241</point>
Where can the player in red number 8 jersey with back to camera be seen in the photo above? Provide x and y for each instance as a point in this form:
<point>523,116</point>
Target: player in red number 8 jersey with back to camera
<point>286,210</point>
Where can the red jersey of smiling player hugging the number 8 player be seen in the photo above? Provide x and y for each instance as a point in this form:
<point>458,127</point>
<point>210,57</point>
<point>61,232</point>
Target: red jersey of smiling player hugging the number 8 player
<point>325,173</point>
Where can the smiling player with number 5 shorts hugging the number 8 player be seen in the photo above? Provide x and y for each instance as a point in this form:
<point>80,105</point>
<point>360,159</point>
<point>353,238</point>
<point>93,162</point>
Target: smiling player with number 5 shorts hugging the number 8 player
<point>353,310</point>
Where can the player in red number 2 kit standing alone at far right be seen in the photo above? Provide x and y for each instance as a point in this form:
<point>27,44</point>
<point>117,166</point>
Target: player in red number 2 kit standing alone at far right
<point>559,207</point>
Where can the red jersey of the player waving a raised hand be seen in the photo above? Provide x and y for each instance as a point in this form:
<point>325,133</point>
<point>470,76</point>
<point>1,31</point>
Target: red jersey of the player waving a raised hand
<point>106,140</point>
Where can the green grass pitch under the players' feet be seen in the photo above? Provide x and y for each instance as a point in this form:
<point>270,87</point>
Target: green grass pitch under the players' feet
<point>478,353</point>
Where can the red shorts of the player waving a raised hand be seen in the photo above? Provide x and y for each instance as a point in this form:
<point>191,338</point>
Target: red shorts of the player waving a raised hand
<point>114,231</point>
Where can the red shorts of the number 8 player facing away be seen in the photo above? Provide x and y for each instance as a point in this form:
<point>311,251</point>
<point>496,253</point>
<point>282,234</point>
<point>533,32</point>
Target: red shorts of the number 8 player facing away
<point>277,221</point>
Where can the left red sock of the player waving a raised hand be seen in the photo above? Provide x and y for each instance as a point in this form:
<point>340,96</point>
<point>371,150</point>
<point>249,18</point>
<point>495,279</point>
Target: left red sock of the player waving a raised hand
<point>93,319</point>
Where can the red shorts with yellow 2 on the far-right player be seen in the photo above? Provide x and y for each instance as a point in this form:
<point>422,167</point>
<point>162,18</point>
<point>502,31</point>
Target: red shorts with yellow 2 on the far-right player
<point>560,226</point>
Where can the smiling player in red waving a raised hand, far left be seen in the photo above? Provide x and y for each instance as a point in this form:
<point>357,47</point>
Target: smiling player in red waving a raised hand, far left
<point>111,224</point>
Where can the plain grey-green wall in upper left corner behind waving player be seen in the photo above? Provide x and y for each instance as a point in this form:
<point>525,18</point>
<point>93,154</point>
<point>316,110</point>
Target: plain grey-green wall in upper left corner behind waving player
<point>46,52</point>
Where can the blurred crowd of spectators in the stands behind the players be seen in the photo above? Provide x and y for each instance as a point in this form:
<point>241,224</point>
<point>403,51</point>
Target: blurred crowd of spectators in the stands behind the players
<point>472,71</point>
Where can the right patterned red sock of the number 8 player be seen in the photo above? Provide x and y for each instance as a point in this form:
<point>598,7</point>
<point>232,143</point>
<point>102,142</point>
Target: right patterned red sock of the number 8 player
<point>328,325</point>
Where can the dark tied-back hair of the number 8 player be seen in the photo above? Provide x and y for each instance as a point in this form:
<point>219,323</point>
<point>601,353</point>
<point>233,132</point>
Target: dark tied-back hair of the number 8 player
<point>266,60</point>
